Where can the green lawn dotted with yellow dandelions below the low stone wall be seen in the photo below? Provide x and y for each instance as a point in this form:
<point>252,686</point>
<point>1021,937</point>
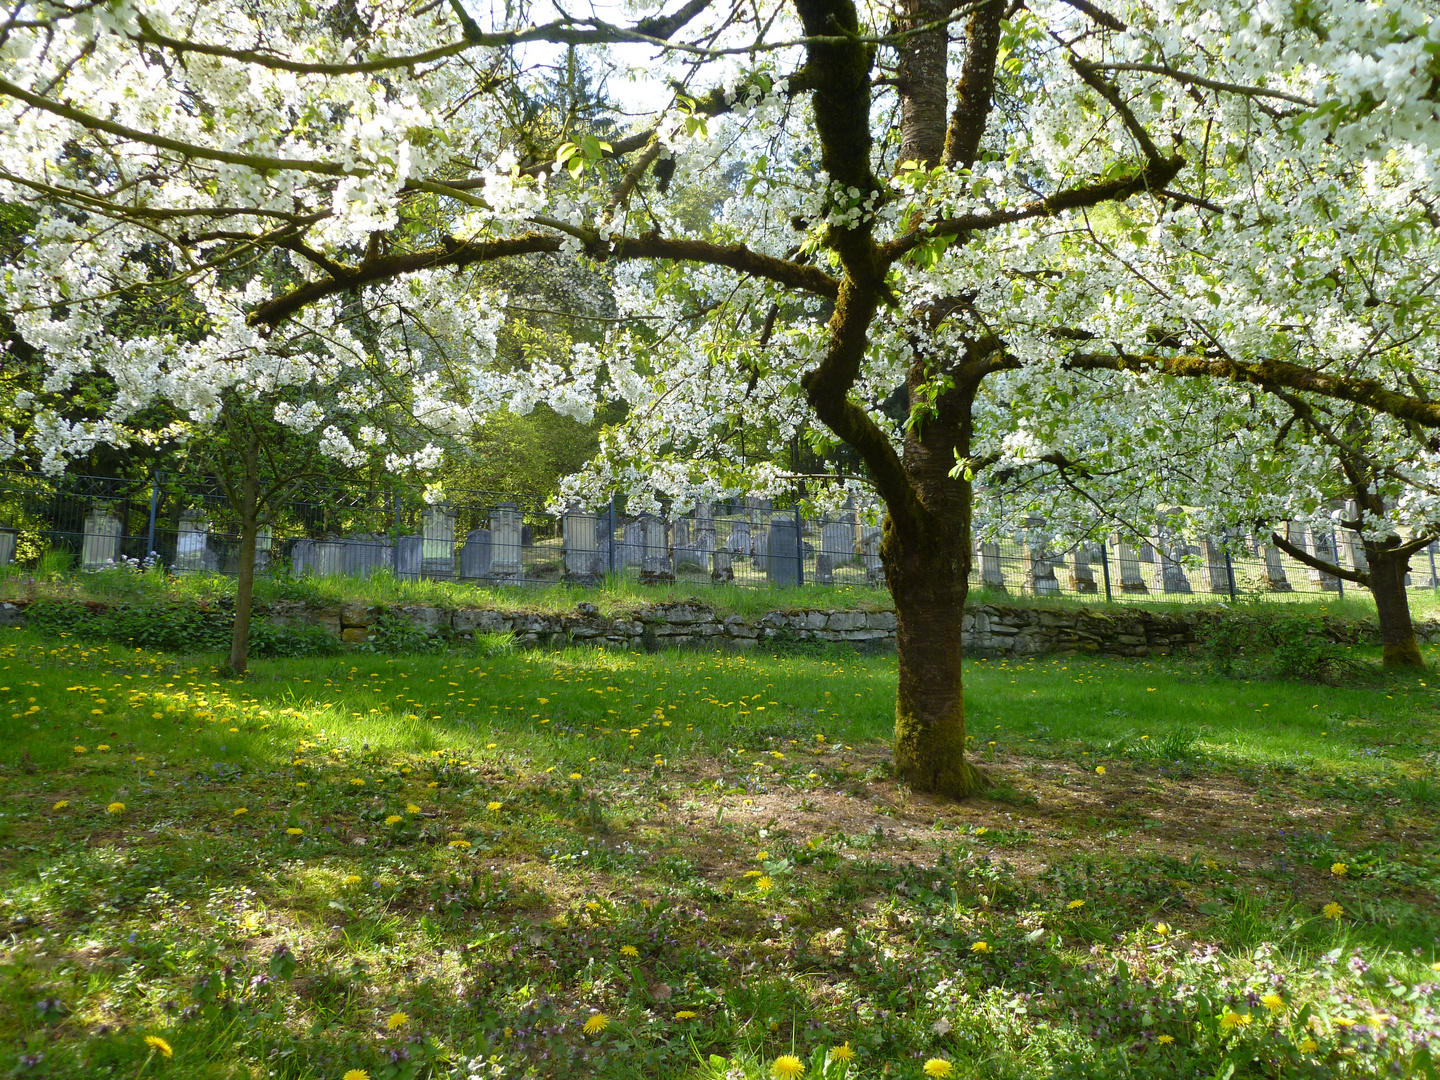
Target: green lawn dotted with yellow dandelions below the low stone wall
<point>508,865</point>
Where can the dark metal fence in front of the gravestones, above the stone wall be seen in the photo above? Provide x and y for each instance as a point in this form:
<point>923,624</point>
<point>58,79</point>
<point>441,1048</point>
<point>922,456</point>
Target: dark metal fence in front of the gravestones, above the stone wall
<point>493,538</point>
